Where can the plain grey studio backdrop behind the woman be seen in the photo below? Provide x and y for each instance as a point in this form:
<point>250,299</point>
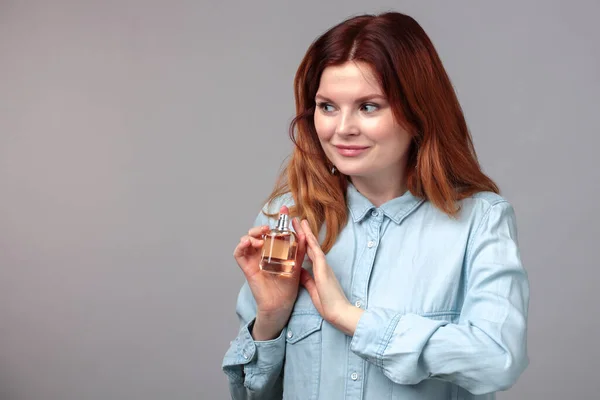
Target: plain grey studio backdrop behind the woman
<point>138,140</point>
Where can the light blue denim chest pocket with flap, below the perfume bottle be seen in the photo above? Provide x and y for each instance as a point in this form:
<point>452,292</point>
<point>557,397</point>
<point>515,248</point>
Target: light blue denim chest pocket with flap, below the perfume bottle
<point>302,366</point>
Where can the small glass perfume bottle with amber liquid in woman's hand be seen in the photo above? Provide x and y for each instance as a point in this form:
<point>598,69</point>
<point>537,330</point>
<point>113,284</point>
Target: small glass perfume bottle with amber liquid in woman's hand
<point>279,248</point>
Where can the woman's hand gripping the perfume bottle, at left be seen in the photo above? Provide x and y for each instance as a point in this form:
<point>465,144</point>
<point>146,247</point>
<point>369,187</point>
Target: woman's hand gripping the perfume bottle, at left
<point>275,295</point>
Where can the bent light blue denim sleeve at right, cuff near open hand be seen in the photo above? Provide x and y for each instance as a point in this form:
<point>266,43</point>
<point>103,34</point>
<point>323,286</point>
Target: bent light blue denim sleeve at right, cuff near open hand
<point>486,350</point>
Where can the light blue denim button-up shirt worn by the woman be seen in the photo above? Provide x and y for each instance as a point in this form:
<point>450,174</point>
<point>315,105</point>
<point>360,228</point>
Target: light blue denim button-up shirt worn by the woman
<point>445,305</point>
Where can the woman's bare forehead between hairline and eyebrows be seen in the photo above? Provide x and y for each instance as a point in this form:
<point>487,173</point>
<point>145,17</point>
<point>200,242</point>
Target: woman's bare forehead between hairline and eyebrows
<point>349,77</point>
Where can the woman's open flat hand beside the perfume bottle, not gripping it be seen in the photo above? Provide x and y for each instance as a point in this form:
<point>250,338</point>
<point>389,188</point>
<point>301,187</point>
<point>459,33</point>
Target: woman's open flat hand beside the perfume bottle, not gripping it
<point>325,290</point>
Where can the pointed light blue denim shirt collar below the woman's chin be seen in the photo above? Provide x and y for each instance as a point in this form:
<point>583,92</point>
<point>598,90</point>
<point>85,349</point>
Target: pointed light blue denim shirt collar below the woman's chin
<point>395,209</point>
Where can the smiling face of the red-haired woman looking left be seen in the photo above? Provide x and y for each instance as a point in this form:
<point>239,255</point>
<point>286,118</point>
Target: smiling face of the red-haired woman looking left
<point>355,124</point>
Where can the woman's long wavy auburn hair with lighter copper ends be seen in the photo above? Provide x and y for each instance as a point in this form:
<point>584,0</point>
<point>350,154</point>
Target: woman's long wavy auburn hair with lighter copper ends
<point>442,165</point>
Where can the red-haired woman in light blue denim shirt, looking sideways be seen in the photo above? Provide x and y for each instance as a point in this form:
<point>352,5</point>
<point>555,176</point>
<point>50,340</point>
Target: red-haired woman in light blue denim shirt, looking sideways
<point>413,287</point>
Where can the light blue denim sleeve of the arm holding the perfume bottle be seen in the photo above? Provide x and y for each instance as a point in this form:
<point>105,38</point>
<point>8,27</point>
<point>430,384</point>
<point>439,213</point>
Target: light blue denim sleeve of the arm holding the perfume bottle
<point>253,368</point>
